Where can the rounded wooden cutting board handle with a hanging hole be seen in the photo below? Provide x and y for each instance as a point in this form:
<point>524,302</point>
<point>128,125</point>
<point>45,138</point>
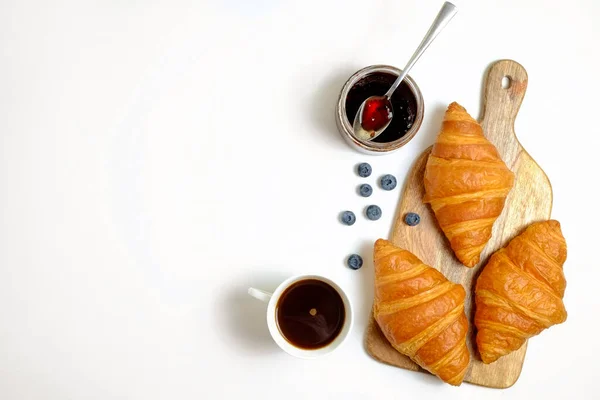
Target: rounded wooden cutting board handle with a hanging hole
<point>502,103</point>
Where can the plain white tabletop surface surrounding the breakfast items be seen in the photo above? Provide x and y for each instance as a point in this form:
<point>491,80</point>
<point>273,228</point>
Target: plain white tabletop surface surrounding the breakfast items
<point>158,157</point>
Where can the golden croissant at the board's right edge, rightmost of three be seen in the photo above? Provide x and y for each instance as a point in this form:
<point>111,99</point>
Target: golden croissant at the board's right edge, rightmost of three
<point>519,292</point>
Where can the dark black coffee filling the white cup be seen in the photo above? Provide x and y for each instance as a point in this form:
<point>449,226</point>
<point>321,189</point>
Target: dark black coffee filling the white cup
<point>310,314</point>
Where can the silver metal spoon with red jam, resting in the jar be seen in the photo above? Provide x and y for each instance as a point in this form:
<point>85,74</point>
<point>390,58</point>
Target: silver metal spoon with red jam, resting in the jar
<point>379,108</point>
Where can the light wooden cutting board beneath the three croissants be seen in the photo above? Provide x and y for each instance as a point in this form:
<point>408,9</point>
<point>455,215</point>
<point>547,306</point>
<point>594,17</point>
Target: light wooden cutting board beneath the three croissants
<point>530,200</point>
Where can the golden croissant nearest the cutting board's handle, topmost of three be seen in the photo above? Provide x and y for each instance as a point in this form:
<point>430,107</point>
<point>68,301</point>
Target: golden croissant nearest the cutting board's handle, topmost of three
<point>466,183</point>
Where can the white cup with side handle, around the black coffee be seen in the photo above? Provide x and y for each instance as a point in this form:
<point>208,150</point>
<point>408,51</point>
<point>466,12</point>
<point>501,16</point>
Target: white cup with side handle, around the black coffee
<point>273,298</point>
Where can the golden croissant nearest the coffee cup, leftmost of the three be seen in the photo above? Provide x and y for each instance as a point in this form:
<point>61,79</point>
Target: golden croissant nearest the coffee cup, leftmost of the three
<point>420,312</point>
